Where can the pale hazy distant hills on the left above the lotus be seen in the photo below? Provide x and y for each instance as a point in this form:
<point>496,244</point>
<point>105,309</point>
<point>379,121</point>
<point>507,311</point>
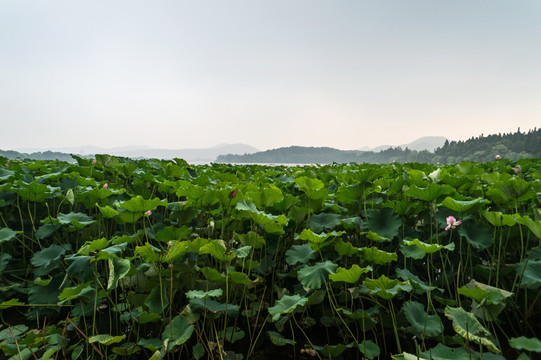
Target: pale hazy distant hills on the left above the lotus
<point>134,151</point>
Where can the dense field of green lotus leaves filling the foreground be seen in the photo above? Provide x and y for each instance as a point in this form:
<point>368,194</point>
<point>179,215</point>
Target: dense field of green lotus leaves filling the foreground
<point>159,259</point>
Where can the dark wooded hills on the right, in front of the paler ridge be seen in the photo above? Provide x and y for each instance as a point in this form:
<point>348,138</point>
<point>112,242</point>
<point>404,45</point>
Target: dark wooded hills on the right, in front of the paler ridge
<point>483,148</point>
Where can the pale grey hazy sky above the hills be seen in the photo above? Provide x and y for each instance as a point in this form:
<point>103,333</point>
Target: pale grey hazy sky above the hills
<point>193,74</point>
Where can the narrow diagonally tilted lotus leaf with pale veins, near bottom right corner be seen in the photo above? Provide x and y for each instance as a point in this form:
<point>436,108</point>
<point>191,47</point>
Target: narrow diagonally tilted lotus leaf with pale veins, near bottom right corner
<point>467,326</point>
